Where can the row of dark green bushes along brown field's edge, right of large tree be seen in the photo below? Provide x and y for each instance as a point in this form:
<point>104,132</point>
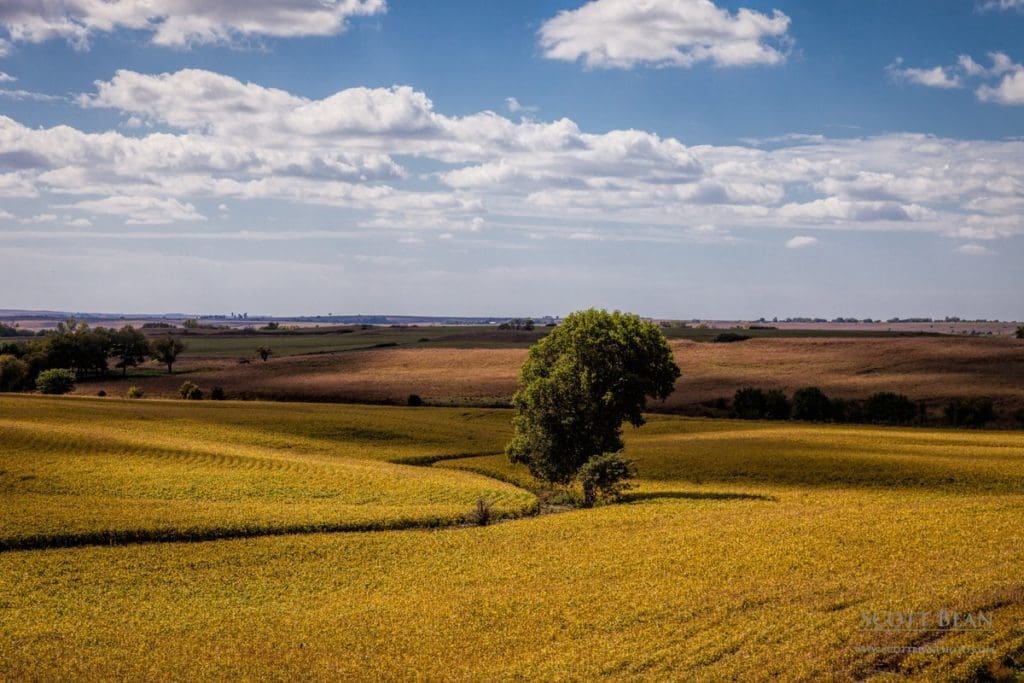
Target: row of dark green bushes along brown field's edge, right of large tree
<point>883,408</point>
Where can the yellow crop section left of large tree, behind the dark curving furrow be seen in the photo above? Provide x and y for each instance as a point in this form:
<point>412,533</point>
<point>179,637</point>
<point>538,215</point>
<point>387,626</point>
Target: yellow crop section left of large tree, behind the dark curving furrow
<point>89,471</point>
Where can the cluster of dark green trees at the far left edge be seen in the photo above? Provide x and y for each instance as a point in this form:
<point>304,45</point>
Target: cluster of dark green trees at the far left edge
<point>83,352</point>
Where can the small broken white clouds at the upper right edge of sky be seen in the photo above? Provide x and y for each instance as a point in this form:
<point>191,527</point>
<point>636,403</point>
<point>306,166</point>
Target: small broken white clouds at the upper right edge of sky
<point>1003,83</point>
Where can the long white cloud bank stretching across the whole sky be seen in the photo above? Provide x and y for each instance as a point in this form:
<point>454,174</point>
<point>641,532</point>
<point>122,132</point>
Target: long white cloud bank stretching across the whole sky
<point>225,142</point>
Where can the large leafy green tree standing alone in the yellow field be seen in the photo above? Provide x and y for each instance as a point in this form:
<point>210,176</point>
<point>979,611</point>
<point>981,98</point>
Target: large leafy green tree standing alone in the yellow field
<point>579,385</point>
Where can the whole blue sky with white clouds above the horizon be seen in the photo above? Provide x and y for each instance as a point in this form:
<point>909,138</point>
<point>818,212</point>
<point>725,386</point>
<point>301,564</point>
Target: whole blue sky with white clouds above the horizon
<point>688,159</point>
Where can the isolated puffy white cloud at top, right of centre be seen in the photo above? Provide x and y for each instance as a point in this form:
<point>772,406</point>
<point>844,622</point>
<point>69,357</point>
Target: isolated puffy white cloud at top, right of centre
<point>623,34</point>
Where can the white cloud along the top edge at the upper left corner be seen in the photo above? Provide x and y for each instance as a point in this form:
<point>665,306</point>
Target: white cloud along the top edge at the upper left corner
<point>180,23</point>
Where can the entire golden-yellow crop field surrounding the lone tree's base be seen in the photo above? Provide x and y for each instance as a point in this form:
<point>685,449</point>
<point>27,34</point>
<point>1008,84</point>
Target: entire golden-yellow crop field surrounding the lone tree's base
<point>748,551</point>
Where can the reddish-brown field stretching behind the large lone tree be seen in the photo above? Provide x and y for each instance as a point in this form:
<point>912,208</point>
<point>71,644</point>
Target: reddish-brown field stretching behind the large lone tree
<point>932,369</point>
